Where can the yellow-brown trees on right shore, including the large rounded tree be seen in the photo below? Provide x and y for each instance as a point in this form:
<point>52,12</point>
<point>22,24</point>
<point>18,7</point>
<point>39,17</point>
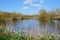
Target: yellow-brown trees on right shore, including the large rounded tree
<point>53,14</point>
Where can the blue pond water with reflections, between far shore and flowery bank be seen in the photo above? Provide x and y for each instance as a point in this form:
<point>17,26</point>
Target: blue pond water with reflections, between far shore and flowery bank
<point>34,27</point>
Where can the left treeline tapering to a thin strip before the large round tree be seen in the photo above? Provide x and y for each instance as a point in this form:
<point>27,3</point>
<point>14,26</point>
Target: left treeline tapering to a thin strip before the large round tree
<point>14,16</point>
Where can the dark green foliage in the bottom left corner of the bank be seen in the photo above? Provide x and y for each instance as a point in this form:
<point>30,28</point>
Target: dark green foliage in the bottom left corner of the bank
<point>6,35</point>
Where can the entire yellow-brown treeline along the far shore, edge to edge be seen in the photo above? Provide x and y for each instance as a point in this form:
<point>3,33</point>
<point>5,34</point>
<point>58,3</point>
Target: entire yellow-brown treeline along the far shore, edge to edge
<point>43,14</point>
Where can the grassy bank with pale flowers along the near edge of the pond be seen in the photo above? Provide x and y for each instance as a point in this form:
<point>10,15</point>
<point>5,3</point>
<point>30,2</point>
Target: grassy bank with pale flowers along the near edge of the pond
<point>17,35</point>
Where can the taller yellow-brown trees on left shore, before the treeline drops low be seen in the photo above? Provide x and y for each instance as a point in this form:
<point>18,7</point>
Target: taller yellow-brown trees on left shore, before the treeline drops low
<point>11,15</point>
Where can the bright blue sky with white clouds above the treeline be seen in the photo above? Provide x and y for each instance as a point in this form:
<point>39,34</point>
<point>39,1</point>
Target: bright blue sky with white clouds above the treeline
<point>28,6</point>
